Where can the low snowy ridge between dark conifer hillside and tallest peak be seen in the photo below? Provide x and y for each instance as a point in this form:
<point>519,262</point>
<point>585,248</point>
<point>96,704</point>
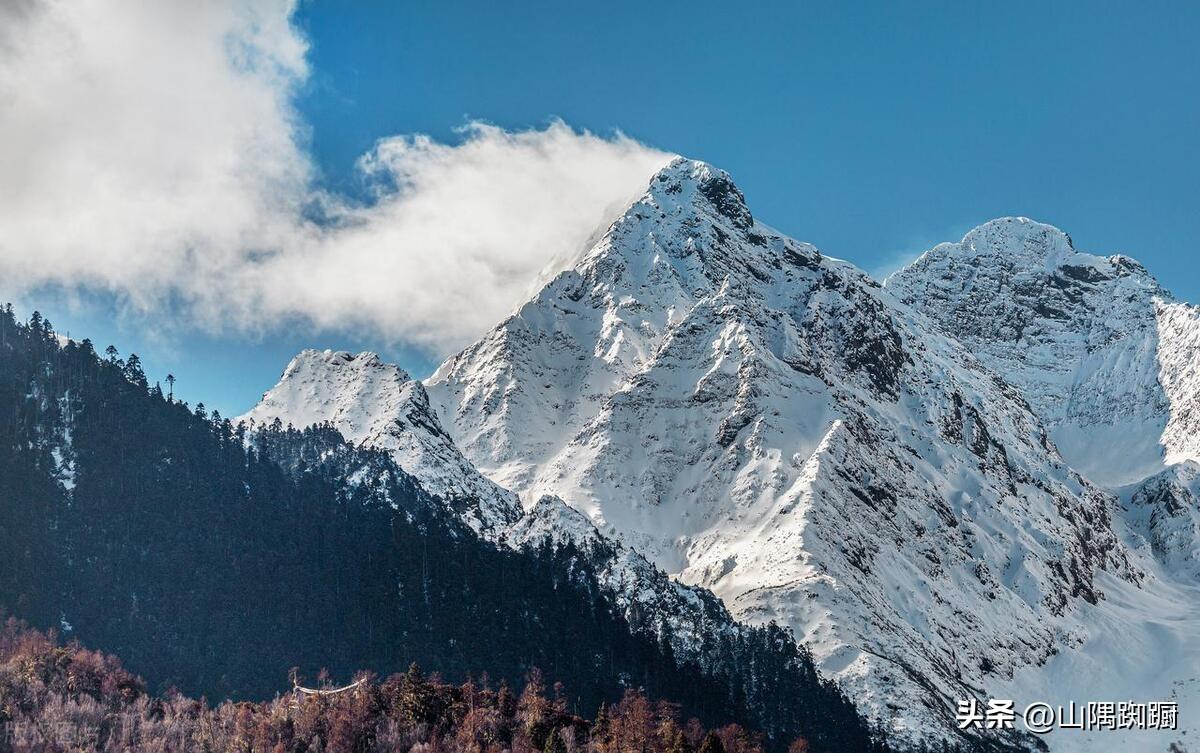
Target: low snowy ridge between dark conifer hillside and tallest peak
<point>380,406</point>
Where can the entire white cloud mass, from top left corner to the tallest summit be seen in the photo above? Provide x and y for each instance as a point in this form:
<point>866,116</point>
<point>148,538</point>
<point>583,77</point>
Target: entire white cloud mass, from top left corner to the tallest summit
<point>151,150</point>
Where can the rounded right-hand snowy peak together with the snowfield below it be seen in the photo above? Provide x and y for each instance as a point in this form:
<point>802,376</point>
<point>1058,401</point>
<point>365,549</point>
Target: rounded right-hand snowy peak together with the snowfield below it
<point>1112,365</point>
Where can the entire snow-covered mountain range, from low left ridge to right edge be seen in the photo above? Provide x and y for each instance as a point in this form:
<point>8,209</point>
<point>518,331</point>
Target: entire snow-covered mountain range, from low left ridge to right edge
<point>977,480</point>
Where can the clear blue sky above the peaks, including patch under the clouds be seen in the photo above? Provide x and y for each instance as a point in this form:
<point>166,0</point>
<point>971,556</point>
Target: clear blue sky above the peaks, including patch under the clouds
<point>873,130</point>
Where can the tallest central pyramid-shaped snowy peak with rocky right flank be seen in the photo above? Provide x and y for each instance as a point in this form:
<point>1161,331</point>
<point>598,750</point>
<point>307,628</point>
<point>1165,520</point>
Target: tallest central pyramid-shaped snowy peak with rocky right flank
<point>771,424</point>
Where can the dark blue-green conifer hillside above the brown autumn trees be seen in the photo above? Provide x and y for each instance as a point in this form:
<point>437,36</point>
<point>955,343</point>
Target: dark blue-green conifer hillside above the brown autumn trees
<point>154,531</point>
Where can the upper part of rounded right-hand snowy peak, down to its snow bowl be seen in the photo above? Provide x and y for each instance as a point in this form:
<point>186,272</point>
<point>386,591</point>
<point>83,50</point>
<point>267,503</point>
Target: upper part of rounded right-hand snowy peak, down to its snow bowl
<point>1100,350</point>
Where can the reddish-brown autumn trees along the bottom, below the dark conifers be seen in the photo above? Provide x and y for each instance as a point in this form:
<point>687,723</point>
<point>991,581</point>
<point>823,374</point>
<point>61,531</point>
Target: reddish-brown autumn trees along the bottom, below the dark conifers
<point>64,698</point>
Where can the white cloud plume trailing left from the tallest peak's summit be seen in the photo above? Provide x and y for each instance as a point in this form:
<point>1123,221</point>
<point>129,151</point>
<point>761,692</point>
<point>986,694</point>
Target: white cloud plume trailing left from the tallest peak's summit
<point>469,228</point>
